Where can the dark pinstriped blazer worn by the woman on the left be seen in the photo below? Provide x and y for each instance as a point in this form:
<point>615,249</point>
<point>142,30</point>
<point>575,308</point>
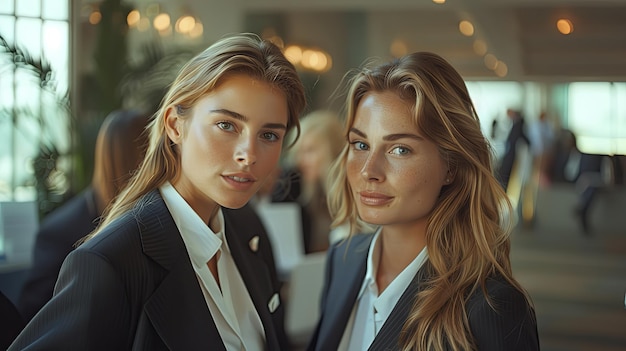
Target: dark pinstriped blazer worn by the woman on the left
<point>133,287</point>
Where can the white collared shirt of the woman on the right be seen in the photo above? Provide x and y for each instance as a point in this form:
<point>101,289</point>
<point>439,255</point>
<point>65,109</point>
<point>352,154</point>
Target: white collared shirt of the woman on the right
<point>371,310</point>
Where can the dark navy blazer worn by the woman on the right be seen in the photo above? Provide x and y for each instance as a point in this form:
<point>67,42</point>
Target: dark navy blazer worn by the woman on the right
<point>512,327</point>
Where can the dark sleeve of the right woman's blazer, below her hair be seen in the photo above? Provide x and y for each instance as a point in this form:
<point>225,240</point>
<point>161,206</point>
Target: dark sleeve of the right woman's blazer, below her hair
<point>512,326</point>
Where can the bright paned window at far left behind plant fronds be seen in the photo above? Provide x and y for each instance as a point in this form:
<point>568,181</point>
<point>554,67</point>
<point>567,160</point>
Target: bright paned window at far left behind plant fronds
<point>35,131</point>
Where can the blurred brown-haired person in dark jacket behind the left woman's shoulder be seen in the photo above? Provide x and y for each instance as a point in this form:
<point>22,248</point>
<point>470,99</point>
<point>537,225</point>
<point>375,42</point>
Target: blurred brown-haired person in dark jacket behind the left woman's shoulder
<point>120,147</point>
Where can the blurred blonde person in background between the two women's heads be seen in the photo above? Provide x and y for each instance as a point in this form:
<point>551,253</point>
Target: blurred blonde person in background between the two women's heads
<point>321,140</point>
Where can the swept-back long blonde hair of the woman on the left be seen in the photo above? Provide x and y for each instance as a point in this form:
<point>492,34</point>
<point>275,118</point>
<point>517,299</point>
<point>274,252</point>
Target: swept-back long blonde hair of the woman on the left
<point>242,53</point>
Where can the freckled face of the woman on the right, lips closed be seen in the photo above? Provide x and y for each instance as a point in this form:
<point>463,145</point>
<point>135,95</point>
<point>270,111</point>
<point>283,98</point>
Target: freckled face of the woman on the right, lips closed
<point>394,172</point>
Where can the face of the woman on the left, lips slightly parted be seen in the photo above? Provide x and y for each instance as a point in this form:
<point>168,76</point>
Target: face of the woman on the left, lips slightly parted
<point>230,143</point>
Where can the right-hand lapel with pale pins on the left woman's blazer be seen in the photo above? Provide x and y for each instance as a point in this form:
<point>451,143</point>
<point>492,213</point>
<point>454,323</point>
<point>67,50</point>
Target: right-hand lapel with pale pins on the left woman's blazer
<point>244,242</point>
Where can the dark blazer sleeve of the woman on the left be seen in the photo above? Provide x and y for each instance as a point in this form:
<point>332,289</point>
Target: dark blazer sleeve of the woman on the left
<point>89,306</point>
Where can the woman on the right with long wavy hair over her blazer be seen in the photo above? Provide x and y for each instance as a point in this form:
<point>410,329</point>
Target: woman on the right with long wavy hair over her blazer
<point>436,274</point>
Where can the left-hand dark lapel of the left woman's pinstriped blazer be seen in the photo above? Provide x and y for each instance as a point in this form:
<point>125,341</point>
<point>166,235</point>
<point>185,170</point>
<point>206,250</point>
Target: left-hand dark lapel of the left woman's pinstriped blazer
<point>177,308</point>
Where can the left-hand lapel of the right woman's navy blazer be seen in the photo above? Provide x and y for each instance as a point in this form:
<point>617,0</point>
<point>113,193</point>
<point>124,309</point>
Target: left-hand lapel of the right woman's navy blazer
<point>348,270</point>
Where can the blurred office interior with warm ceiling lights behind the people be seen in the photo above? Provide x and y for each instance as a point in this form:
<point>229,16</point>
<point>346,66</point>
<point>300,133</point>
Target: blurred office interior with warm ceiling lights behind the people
<point>66,64</point>
